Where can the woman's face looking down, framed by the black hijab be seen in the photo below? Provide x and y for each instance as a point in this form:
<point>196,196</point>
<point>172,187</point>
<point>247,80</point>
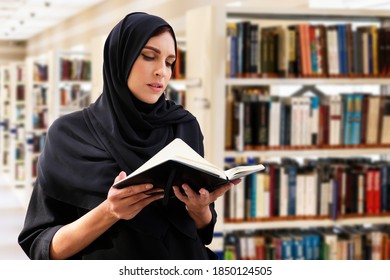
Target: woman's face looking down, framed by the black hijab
<point>152,70</point>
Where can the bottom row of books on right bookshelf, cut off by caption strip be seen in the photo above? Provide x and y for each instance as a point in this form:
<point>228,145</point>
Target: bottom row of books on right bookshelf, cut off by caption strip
<point>351,244</point>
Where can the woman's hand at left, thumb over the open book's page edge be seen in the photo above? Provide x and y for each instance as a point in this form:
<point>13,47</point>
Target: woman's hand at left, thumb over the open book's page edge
<point>126,203</point>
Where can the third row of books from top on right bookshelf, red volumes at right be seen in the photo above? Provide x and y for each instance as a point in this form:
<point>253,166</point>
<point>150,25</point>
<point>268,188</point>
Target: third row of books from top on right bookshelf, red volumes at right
<point>331,188</point>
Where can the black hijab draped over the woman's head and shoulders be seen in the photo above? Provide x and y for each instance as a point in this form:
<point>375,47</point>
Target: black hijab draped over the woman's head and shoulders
<point>86,150</point>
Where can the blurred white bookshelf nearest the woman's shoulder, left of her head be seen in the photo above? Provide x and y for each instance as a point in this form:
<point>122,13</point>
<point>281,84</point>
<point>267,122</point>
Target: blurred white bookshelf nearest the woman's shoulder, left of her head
<point>72,82</point>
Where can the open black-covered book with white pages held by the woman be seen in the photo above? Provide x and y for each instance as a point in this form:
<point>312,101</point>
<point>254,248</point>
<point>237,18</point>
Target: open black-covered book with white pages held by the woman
<point>177,163</point>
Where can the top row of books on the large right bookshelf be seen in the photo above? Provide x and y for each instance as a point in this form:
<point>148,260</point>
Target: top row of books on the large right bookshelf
<point>307,50</point>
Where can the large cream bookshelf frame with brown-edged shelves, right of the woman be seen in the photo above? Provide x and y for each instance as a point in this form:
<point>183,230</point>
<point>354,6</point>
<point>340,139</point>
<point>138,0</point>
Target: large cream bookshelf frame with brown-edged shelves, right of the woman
<point>218,82</point>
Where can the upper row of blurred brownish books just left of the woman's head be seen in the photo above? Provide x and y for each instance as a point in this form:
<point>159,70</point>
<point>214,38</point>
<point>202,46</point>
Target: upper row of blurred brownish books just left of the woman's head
<point>75,69</point>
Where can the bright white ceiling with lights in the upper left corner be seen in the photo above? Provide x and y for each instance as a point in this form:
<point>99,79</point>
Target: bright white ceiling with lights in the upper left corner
<point>23,19</point>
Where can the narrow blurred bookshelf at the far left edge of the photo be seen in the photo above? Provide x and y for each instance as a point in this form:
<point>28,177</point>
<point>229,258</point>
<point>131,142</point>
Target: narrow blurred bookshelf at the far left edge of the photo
<point>5,118</point>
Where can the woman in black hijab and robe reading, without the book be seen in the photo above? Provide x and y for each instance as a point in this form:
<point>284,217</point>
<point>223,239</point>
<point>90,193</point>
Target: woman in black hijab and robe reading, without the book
<point>74,213</point>
